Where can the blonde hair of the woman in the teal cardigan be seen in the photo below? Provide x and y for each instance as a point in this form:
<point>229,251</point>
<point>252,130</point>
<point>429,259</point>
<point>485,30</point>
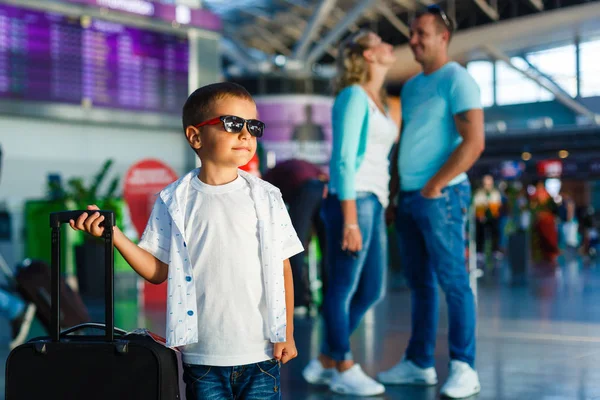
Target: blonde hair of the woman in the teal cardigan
<point>352,68</point>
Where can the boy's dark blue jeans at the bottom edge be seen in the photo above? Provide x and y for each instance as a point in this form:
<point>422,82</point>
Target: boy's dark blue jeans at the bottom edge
<point>258,381</point>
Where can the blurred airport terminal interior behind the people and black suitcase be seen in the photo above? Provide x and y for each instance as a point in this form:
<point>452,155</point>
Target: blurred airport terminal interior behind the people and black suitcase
<point>91,96</point>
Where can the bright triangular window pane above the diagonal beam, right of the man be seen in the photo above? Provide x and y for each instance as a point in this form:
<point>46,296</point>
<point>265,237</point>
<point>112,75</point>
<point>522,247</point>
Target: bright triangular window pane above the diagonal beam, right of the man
<point>559,64</point>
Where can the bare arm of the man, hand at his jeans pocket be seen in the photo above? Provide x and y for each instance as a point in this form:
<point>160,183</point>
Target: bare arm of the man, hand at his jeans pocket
<point>470,126</point>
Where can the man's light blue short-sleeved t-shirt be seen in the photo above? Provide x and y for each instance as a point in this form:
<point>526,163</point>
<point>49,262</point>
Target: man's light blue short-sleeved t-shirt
<point>429,135</point>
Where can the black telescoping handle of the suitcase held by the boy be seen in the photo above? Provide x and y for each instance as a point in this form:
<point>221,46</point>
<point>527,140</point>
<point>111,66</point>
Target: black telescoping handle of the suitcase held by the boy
<point>63,217</point>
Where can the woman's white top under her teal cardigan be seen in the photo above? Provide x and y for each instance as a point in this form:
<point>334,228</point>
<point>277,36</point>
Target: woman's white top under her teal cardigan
<point>373,175</point>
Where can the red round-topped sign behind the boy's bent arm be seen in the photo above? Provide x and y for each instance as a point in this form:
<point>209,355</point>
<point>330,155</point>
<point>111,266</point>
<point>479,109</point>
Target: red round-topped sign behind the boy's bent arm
<point>143,181</point>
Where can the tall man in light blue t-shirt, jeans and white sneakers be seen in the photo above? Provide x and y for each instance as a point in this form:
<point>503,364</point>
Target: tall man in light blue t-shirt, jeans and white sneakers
<point>442,137</point>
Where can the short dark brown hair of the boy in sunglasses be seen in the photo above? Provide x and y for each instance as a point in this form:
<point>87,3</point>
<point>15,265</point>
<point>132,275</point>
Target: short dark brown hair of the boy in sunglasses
<point>198,105</point>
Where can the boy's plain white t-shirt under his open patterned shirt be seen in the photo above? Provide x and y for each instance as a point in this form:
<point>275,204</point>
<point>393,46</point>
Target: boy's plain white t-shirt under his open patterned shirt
<point>222,236</point>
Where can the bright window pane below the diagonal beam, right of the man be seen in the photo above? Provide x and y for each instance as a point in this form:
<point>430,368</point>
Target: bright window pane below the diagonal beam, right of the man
<point>513,87</point>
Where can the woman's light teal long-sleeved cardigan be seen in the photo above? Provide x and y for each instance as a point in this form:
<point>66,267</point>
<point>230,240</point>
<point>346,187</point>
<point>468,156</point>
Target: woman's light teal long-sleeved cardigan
<point>350,125</point>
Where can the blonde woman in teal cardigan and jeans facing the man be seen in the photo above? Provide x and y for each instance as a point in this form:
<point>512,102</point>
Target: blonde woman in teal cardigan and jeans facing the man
<point>363,135</point>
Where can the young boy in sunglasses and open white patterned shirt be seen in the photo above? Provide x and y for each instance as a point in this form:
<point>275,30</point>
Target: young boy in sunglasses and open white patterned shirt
<point>222,238</point>
